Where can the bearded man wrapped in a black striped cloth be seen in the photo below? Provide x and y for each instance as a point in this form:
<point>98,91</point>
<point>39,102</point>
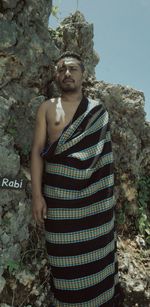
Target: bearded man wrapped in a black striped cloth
<point>76,204</point>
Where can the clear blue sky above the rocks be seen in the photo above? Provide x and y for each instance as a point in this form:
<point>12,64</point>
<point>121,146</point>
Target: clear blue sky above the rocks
<point>121,38</point>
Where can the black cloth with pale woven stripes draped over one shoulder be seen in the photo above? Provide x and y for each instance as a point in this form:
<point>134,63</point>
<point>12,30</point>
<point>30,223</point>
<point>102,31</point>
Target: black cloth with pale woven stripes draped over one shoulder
<point>78,189</point>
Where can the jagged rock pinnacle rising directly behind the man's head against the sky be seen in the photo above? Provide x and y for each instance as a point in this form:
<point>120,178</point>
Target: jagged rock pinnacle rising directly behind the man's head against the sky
<point>75,34</point>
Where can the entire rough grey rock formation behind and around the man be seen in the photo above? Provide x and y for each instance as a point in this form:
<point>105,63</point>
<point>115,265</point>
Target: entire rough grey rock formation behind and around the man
<point>27,54</point>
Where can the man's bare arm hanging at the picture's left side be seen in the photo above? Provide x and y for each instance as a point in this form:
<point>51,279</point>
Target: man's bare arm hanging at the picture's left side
<point>38,202</point>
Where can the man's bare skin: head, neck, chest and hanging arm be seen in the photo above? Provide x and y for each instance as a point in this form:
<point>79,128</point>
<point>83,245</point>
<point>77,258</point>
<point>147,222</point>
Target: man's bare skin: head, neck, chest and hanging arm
<point>52,117</point>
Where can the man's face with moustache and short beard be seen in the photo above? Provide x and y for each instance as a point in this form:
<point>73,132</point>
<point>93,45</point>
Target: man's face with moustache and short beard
<point>69,75</point>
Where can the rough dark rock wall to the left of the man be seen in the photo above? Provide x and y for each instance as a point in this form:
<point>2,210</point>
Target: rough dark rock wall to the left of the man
<point>26,65</point>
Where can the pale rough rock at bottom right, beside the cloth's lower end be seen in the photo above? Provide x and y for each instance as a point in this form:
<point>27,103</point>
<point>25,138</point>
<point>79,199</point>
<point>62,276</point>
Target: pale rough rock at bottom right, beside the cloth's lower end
<point>134,271</point>
